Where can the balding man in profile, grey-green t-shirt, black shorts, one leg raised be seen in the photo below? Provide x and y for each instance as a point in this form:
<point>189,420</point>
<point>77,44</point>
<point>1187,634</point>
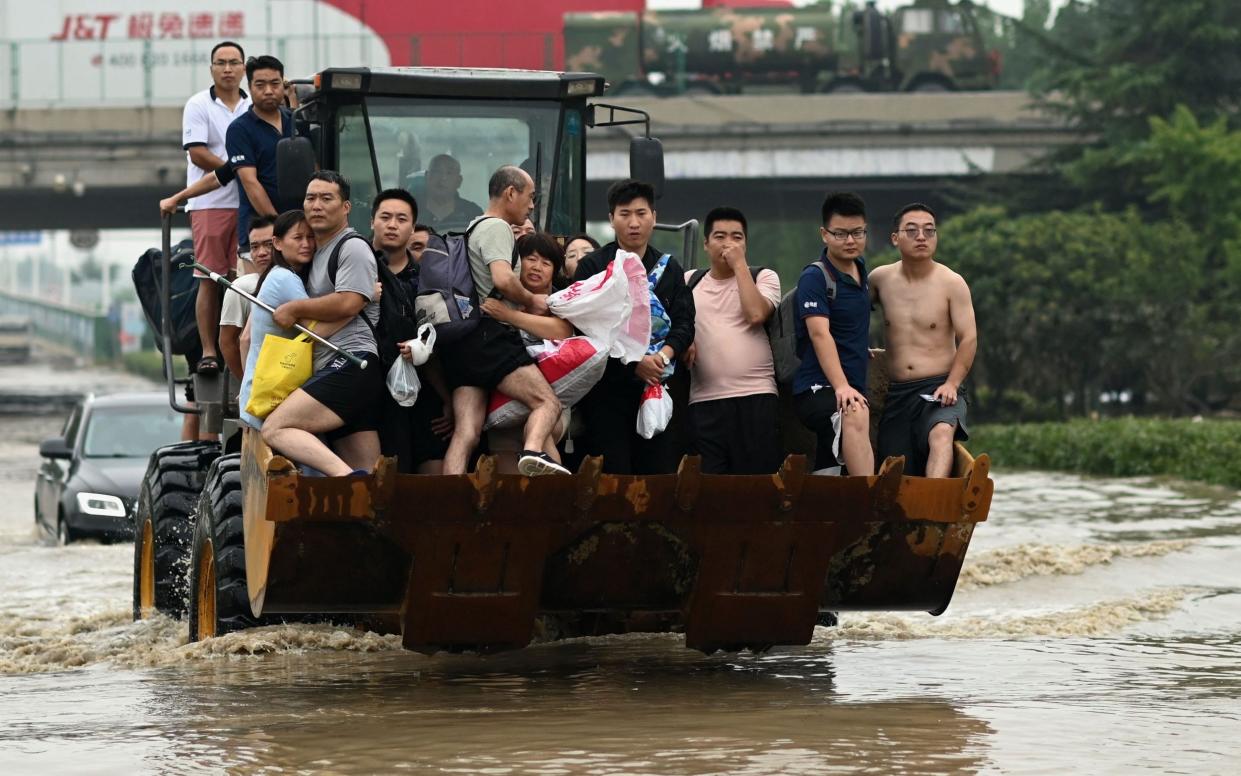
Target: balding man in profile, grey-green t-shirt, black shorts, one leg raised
<point>492,356</point>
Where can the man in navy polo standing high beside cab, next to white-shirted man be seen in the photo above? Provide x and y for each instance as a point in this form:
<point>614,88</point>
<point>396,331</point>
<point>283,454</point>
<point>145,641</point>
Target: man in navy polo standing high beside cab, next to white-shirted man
<point>251,143</point>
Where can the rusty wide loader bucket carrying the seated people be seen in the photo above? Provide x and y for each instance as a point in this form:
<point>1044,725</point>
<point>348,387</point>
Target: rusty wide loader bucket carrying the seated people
<point>476,562</point>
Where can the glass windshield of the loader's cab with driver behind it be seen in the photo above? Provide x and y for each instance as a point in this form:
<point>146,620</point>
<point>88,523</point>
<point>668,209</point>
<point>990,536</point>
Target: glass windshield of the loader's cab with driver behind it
<point>445,152</point>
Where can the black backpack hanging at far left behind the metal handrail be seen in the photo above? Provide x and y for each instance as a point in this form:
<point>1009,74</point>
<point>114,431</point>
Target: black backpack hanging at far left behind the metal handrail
<point>148,275</point>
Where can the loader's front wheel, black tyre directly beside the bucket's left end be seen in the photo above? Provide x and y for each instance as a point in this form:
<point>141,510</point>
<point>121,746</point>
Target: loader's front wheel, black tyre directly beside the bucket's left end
<point>219,599</point>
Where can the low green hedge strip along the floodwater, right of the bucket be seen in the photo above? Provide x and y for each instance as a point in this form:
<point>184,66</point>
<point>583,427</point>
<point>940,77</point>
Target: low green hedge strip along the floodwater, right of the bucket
<point>1206,451</point>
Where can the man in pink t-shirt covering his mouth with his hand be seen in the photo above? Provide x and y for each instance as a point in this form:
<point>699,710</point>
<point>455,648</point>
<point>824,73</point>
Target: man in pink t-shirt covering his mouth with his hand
<point>734,402</point>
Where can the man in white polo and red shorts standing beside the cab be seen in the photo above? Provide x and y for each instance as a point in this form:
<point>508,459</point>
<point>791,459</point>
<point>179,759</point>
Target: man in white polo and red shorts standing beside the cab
<point>214,217</point>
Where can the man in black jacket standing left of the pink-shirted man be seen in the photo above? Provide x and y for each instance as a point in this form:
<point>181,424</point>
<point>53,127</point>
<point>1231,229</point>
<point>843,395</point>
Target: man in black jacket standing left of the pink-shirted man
<point>611,409</point>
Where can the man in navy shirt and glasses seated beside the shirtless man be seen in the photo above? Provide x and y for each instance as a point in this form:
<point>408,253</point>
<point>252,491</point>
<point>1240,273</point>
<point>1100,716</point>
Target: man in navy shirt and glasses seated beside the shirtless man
<point>833,338</point>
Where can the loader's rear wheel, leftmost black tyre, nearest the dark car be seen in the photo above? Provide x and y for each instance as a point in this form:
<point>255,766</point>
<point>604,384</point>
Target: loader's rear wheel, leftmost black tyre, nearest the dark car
<point>164,526</point>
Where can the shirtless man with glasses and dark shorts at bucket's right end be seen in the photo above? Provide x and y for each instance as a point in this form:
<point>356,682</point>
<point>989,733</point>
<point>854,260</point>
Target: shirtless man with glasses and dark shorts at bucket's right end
<point>929,323</point>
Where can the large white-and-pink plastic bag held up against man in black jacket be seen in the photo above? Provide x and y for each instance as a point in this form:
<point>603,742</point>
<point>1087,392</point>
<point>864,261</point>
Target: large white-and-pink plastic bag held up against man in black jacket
<point>609,307</point>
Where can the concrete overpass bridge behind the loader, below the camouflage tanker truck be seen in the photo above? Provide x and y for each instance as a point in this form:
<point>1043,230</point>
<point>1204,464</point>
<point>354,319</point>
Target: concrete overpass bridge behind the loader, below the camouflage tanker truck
<point>773,156</point>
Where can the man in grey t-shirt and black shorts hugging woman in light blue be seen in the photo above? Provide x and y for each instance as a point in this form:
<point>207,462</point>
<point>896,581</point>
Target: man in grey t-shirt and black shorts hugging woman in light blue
<point>341,400</point>
